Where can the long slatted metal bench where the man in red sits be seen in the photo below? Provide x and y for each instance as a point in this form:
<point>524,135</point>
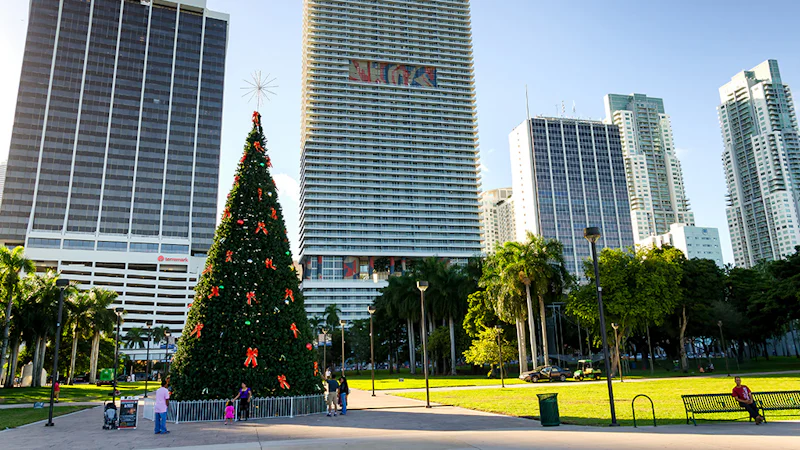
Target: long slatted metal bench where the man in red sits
<point>722,403</point>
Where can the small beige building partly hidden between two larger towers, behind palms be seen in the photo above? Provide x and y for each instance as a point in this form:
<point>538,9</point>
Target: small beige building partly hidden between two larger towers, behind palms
<point>497,218</point>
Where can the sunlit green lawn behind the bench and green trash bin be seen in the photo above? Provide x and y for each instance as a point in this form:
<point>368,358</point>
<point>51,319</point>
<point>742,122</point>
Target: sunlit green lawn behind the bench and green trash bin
<point>587,404</point>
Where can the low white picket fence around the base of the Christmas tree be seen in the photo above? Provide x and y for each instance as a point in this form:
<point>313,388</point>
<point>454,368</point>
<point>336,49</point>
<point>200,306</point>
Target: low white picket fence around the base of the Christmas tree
<point>214,410</point>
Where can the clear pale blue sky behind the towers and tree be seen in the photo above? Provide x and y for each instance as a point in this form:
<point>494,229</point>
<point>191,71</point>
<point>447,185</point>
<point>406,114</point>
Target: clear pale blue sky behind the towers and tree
<point>682,51</point>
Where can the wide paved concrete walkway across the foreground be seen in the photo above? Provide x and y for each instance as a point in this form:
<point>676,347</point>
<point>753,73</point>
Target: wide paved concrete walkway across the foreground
<point>386,421</point>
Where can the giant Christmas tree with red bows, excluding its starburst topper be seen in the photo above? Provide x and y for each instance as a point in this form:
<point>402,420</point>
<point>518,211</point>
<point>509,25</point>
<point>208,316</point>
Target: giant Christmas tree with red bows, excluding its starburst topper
<point>247,323</point>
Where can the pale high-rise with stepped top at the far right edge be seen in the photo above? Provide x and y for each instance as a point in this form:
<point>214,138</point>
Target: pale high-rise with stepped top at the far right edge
<point>762,164</point>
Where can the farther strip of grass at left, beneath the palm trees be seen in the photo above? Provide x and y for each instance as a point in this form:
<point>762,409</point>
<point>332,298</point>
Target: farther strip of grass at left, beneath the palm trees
<point>74,393</point>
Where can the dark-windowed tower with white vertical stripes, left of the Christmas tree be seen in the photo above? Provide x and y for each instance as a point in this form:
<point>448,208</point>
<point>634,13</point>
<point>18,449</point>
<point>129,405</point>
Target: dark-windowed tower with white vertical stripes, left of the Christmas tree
<point>114,160</point>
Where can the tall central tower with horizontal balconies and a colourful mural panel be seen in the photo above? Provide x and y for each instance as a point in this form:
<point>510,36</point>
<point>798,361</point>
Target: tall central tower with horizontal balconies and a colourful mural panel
<point>389,167</point>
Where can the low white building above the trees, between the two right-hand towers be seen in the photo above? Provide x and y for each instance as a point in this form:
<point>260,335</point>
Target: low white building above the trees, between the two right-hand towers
<point>694,242</point>
